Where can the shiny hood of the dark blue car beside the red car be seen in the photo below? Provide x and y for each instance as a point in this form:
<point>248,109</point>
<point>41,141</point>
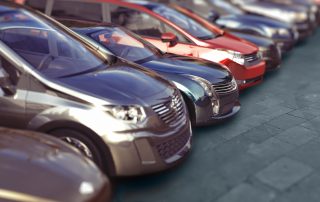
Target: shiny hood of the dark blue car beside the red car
<point>178,65</point>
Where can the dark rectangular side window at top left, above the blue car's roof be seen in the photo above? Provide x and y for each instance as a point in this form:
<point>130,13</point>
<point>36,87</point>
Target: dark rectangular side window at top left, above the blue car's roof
<point>77,10</point>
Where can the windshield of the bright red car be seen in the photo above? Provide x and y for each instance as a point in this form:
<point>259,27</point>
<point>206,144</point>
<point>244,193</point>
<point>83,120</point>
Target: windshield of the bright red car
<point>186,23</point>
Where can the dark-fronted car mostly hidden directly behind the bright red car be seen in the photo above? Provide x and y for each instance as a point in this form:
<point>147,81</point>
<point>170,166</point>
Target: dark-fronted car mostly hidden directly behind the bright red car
<point>268,50</point>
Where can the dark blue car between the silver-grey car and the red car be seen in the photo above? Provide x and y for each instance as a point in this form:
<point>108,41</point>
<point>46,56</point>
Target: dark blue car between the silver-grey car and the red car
<point>208,89</point>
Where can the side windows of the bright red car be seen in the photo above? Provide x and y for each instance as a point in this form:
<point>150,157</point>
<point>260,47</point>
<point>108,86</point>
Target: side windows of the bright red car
<point>141,23</point>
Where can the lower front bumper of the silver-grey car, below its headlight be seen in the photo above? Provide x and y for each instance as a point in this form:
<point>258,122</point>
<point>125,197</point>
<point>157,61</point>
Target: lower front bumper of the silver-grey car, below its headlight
<point>151,152</point>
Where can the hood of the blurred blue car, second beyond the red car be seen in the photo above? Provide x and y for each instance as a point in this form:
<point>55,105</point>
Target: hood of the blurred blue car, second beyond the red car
<point>253,20</point>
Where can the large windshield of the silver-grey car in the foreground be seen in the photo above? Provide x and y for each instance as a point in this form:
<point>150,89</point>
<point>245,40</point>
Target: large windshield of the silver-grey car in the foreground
<point>45,46</point>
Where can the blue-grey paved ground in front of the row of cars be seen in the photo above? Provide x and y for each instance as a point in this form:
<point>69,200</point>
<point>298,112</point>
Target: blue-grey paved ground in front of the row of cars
<point>269,152</point>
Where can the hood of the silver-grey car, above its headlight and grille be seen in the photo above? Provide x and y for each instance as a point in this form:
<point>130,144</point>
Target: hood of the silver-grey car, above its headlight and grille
<point>120,83</point>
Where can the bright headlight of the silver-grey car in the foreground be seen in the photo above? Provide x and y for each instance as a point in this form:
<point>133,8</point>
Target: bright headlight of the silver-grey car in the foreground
<point>132,114</point>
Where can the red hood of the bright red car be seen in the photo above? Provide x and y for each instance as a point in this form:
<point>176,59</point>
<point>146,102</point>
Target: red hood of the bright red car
<point>229,42</point>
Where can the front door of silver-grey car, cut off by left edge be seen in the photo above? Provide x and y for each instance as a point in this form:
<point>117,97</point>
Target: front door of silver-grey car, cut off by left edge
<point>13,91</point>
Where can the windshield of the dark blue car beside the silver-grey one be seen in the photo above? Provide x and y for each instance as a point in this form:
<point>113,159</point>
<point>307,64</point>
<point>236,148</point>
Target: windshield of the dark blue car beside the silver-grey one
<point>123,45</point>
